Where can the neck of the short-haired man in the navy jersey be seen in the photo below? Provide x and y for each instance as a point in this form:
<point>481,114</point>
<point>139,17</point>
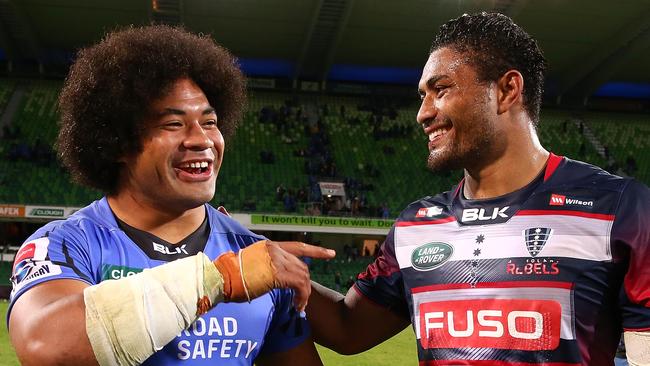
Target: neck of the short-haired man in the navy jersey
<point>523,159</point>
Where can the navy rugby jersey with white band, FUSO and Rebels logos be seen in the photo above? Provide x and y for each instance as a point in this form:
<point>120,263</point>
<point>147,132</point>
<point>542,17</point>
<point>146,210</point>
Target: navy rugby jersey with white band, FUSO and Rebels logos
<point>547,275</point>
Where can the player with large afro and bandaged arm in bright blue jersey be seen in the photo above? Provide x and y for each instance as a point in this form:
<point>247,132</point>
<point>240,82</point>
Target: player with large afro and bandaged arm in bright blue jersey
<point>151,273</point>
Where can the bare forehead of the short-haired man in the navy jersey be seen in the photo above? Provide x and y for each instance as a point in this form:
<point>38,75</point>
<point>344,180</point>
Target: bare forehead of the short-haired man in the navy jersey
<point>446,62</point>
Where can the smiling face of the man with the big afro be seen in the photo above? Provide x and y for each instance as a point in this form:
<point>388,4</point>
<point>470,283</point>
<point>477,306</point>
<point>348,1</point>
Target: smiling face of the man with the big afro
<point>181,154</point>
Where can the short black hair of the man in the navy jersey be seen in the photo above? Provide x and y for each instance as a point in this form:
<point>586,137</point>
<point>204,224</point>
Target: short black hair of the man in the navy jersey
<point>494,45</point>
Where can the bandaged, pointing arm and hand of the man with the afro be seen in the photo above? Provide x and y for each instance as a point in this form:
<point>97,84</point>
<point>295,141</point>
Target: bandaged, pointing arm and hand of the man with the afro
<point>107,321</point>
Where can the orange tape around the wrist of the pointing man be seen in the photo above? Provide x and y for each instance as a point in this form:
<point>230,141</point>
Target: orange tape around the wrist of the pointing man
<point>247,274</point>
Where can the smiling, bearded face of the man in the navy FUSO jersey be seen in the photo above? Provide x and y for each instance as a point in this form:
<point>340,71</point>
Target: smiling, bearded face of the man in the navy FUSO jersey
<point>458,113</point>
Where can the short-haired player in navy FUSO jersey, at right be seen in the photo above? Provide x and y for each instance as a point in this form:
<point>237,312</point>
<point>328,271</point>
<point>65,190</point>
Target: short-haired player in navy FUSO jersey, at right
<point>532,259</point>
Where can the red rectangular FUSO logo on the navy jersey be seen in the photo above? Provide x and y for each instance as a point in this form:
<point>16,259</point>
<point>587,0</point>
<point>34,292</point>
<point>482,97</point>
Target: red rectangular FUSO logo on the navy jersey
<point>529,325</point>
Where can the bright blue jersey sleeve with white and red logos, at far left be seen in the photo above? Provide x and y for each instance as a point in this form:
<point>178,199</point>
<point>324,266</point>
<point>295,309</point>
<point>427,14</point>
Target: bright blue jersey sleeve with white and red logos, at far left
<point>56,251</point>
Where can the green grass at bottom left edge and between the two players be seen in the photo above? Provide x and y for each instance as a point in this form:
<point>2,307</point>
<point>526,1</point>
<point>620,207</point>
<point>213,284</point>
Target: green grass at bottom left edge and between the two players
<point>399,350</point>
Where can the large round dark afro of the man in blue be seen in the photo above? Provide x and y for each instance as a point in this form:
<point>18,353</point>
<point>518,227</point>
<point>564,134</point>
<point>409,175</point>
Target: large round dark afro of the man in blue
<point>110,86</point>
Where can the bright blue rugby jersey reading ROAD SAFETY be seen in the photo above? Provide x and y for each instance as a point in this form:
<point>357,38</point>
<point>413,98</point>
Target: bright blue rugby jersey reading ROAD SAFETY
<point>90,246</point>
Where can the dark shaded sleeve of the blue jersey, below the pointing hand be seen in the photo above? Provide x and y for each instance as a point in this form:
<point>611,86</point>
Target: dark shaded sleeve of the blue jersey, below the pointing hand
<point>287,328</point>
